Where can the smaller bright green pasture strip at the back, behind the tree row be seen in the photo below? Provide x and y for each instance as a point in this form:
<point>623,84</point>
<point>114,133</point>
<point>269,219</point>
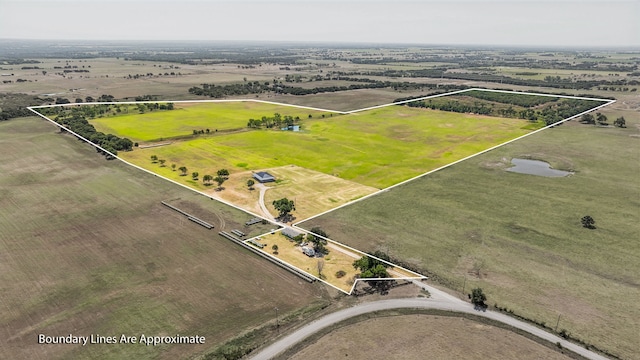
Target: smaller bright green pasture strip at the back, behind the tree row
<point>185,118</point>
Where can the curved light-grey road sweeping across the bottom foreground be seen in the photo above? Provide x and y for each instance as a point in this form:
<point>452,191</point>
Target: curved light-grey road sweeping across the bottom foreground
<point>438,300</point>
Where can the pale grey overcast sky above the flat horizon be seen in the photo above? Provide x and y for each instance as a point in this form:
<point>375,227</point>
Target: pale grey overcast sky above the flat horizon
<point>550,23</point>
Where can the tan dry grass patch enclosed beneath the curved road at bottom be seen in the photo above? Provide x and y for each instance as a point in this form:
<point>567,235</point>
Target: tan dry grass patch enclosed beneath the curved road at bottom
<point>425,337</point>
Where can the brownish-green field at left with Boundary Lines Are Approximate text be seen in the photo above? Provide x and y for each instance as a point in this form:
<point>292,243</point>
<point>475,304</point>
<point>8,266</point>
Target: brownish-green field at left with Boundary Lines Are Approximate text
<point>87,248</point>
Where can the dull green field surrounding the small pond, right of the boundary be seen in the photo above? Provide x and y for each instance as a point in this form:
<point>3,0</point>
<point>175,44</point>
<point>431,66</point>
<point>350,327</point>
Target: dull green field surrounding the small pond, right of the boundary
<point>519,237</point>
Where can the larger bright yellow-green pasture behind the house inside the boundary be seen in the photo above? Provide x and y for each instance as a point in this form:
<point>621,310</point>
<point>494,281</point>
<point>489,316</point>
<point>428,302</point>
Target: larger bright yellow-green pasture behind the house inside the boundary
<point>377,148</point>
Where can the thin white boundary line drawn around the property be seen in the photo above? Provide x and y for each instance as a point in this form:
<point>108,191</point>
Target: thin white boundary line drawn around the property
<point>295,225</point>
